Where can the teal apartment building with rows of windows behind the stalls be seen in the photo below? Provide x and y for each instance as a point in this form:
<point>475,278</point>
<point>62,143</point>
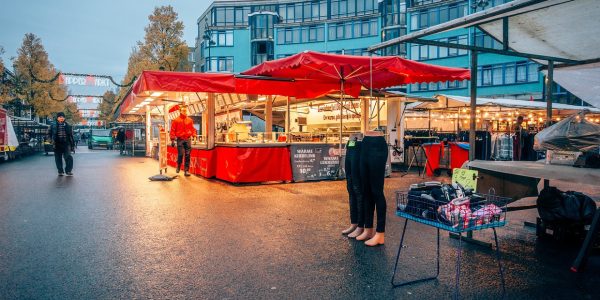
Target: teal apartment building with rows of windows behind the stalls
<point>236,35</point>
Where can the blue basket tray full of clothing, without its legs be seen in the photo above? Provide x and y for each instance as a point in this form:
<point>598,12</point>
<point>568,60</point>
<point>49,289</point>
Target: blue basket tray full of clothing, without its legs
<point>486,211</point>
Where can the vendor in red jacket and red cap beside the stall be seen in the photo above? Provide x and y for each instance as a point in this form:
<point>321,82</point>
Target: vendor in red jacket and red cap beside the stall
<point>182,129</point>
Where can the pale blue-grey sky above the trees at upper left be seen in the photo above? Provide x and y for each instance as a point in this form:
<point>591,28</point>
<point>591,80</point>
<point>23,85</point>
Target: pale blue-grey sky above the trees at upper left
<point>91,37</point>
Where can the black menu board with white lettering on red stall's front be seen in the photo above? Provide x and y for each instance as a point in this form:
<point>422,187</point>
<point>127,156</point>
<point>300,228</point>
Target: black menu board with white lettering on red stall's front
<point>315,161</point>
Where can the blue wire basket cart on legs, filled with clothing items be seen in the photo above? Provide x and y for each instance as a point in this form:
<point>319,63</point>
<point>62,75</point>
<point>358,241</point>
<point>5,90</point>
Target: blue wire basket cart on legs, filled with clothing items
<point>461,214</point>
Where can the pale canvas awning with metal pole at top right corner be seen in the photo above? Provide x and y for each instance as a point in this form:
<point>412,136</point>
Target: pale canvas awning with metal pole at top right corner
<point>561,29</point>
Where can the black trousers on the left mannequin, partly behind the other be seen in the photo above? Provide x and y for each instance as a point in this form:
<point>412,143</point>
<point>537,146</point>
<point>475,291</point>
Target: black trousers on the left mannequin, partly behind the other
<point>353,183</point>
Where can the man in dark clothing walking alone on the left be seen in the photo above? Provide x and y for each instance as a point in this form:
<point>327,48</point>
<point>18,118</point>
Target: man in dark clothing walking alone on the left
<point>61,135</point>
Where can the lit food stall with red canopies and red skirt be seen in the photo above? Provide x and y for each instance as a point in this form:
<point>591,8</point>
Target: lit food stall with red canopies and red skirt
<point>229,150</point>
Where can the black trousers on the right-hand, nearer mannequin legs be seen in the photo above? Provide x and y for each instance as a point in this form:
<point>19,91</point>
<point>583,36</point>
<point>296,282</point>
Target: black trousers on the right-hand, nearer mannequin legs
<point>373,157</point>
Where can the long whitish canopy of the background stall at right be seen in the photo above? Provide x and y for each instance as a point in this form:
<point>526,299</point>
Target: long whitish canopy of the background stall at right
<point>452,101</point>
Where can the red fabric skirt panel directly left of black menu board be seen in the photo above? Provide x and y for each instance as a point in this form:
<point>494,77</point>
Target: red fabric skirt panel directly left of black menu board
<point>253,164</point>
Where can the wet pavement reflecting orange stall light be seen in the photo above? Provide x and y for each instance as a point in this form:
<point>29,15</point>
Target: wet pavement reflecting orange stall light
<point>108,232</point>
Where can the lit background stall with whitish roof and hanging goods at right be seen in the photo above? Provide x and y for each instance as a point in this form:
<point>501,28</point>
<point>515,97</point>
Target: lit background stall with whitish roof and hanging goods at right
<point>448,120</point>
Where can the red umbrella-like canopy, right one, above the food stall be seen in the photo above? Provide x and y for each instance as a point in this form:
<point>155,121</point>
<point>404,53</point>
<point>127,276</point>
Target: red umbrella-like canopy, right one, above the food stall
<point>355,72</point>
